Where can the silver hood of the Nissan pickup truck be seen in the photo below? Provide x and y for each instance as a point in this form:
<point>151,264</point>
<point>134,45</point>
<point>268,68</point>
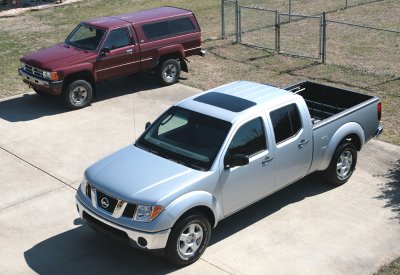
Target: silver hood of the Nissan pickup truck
<point>135,175</point>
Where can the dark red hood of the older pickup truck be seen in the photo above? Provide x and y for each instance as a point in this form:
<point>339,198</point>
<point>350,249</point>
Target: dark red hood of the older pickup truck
<point>56,57</point>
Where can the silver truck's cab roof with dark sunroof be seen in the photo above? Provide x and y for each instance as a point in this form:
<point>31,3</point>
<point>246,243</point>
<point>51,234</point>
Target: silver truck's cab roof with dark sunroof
<point>238,99</point>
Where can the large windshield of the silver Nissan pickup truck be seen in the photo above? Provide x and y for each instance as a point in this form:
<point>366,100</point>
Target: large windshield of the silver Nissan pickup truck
<point>187,137</point>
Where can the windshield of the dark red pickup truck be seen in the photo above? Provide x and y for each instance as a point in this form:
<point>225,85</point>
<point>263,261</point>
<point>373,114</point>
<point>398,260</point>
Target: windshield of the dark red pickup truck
<point>85,37</point>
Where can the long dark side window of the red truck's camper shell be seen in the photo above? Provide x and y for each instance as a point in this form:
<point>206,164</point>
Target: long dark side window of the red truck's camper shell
<point>168,28</point>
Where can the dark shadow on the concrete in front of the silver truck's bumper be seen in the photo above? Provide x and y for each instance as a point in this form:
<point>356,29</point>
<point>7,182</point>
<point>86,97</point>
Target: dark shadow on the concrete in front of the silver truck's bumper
<point>85,251</point>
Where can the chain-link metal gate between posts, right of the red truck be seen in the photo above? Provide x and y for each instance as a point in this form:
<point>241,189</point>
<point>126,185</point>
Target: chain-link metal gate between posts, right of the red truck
<point>285,33</point>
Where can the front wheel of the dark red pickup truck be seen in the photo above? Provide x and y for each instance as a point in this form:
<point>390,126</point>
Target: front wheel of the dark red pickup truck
<point>78,94</point>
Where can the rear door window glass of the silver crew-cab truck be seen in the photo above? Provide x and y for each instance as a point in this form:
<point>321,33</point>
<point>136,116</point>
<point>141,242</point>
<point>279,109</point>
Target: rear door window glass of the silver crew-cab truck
<point>286,122</point>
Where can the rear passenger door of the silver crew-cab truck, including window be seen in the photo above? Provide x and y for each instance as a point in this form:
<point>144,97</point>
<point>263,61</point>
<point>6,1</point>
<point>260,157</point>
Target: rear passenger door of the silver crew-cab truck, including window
<point>292,142</point>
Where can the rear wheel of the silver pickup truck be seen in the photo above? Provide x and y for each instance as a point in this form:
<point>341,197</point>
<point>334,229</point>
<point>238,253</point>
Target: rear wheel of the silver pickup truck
<point>345,157</point>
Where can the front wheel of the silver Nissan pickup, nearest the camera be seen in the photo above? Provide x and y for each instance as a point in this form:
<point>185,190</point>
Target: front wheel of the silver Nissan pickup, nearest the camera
<point>192,226</point>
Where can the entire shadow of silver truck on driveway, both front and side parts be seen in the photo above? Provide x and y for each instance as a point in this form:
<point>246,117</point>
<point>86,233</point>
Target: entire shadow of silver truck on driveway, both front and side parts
<point>82,250</point>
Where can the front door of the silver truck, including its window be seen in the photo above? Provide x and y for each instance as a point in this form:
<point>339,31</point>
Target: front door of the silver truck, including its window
<point>243,185</point>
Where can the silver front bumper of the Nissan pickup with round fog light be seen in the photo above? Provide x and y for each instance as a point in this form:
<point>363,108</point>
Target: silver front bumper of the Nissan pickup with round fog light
<point>152,240</point>
